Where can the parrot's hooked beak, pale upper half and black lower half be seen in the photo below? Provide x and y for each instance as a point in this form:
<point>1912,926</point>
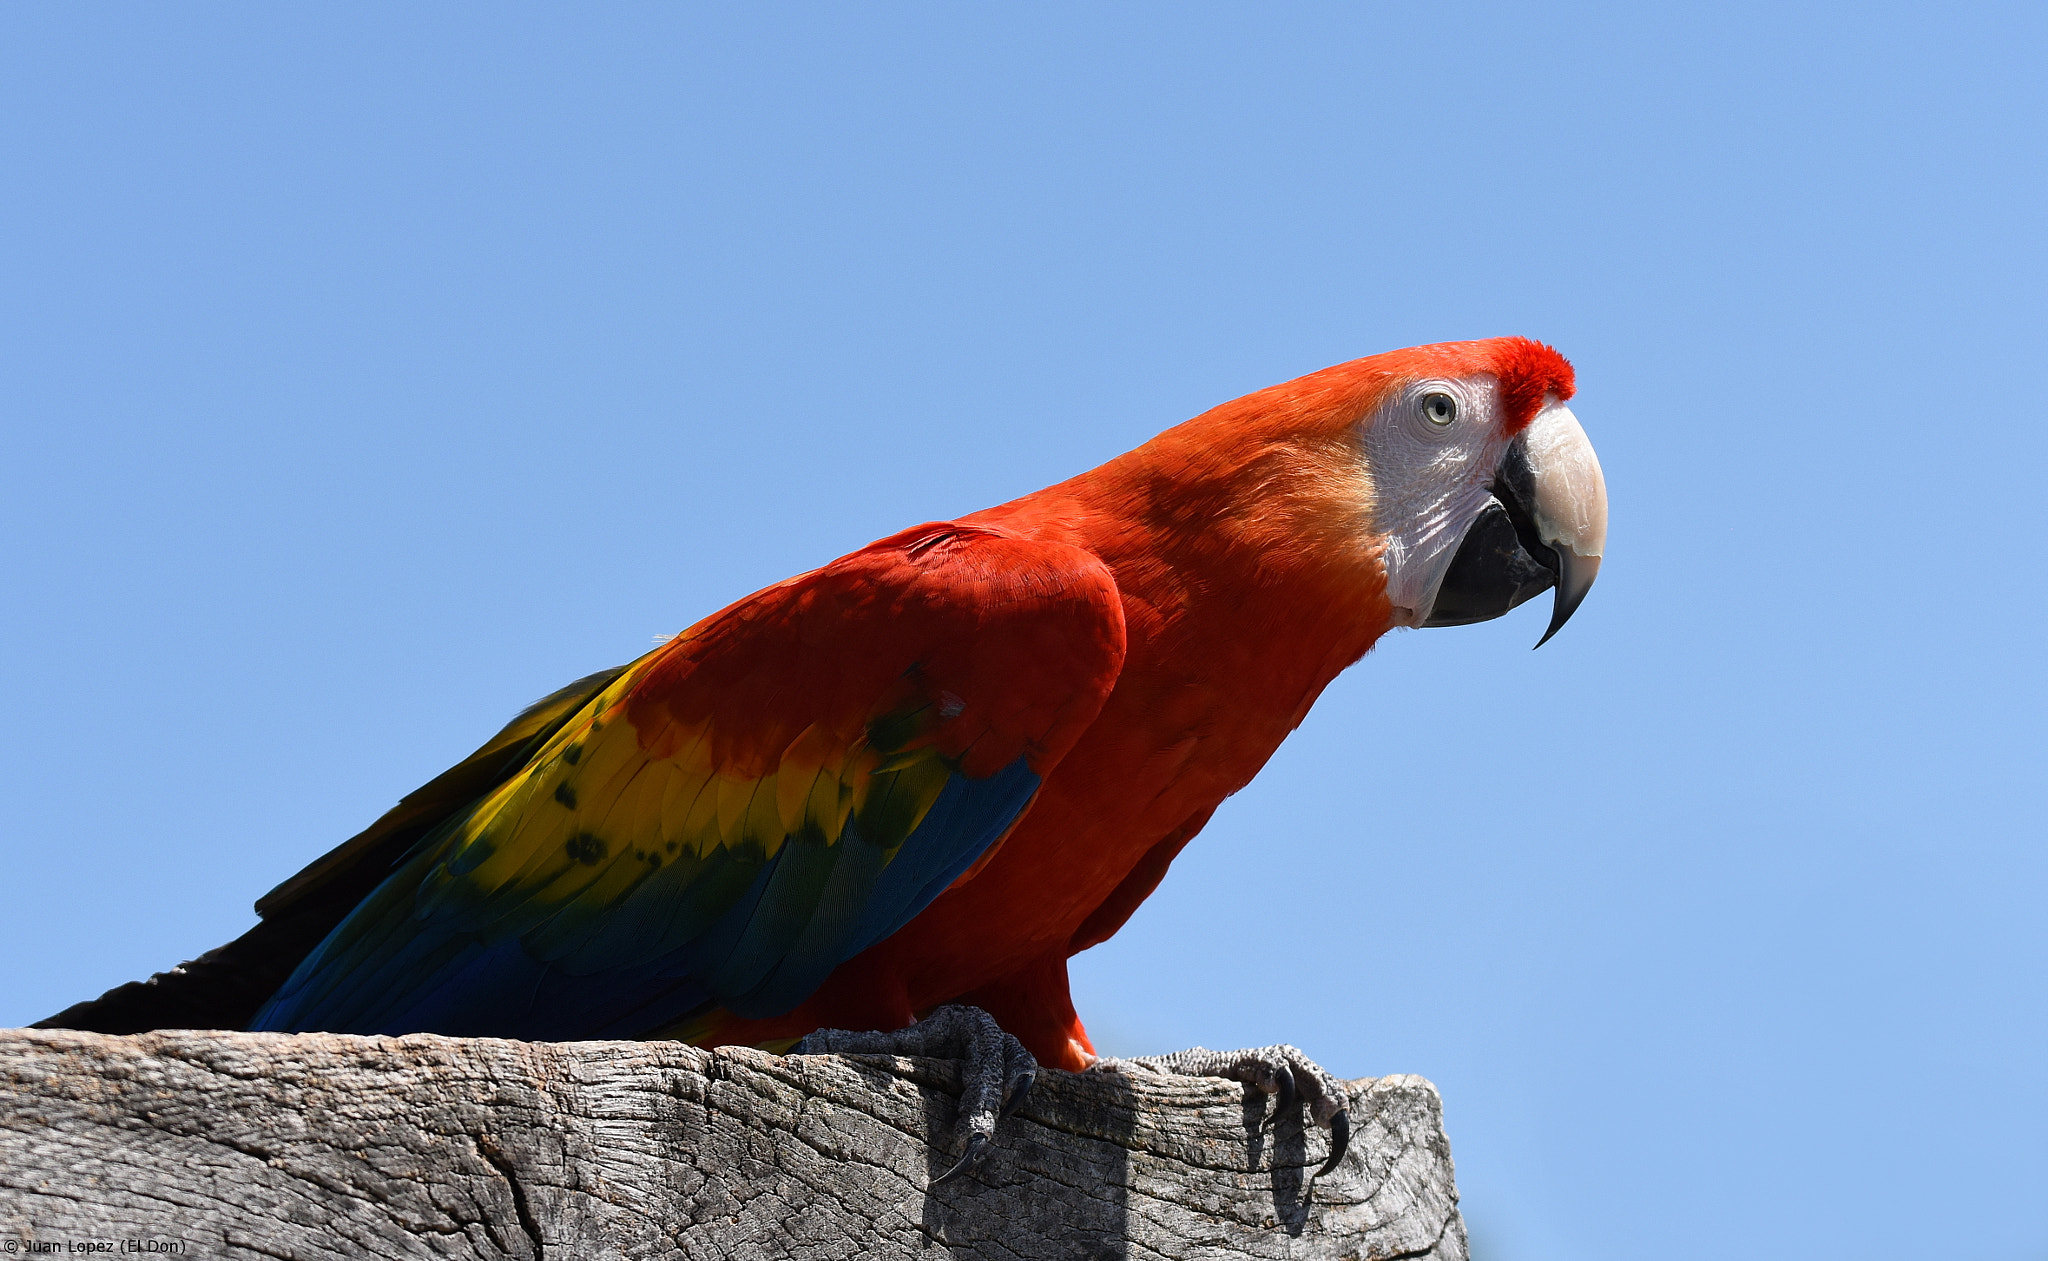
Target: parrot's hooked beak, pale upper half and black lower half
<point>1545,527</point>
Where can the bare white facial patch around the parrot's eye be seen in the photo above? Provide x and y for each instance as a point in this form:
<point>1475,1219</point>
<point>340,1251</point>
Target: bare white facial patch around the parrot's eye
<point>1431,480</point>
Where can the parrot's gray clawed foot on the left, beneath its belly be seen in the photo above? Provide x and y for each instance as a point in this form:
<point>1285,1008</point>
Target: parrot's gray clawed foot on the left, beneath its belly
<point>994,1082</point>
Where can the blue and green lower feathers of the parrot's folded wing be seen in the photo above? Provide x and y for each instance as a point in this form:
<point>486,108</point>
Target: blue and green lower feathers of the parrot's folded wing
<point>415,963</point>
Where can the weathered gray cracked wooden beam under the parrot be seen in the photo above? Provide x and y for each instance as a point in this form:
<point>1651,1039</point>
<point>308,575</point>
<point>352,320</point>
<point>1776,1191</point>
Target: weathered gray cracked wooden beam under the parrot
<point>318,1145</point>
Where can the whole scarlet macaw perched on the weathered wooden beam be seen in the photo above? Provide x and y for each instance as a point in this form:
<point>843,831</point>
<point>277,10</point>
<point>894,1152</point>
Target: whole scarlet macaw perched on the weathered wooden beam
<point>880,806</point>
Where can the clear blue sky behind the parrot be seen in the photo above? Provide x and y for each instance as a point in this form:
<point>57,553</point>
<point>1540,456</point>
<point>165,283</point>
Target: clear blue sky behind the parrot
<point>370,372</point>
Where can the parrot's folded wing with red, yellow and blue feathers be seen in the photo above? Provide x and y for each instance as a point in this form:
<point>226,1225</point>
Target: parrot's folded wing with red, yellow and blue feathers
<point>744,810</point>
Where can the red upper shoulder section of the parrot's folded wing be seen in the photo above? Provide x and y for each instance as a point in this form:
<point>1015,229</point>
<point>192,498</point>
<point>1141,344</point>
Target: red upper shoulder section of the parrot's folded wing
<point>888,629</point>
